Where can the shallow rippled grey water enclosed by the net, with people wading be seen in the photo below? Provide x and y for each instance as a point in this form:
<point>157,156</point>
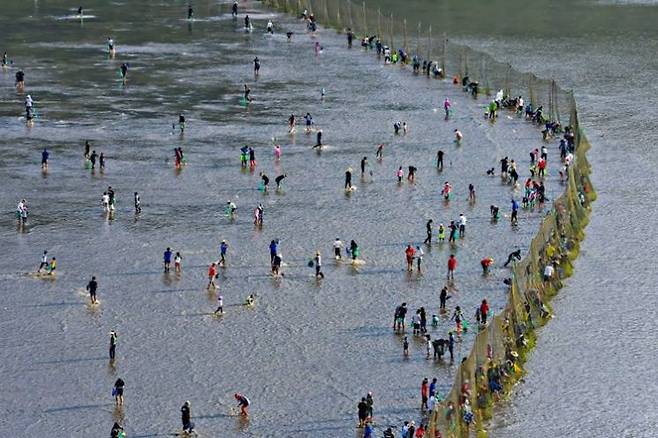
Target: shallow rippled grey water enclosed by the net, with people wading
<point>308,350</point>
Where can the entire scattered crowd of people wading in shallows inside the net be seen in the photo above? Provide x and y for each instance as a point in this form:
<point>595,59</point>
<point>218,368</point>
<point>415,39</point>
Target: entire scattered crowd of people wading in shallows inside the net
<point>435,346</point>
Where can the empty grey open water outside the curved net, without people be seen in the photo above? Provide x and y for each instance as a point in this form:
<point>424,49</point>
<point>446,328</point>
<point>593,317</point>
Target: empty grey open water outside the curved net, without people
<point>592,373</point>
